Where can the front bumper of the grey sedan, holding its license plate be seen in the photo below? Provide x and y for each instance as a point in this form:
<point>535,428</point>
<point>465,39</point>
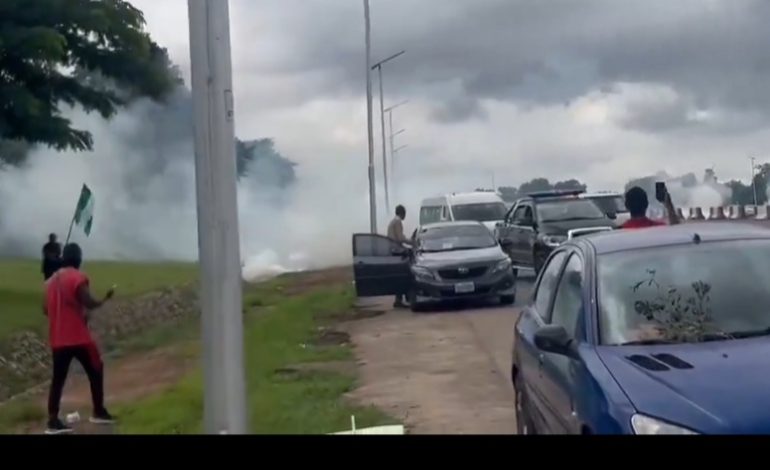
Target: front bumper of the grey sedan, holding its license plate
<point>436,291</point>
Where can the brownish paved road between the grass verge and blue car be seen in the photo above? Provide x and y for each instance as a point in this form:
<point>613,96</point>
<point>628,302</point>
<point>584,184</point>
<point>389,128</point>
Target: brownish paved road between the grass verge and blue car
<point>441,372</point>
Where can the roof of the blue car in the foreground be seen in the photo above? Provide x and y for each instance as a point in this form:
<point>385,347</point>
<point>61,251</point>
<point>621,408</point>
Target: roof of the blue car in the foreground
<point>623,240</point>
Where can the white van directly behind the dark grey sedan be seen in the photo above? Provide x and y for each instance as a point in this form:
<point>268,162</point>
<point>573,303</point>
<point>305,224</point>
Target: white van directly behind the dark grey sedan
<point>481,206</point>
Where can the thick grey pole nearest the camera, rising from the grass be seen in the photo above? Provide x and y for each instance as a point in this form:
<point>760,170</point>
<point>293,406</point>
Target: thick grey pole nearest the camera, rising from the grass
<point>224,399</point>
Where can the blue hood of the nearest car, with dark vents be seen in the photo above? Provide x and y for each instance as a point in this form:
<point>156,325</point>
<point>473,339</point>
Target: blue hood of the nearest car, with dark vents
<point>712,388</point>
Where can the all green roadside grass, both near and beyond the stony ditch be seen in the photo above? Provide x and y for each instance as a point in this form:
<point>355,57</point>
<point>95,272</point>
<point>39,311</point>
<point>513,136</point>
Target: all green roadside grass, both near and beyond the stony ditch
<point>281,324</point>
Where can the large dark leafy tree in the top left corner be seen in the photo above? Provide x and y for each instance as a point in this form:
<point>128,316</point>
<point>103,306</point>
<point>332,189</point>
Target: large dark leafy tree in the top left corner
<point>47,47</point>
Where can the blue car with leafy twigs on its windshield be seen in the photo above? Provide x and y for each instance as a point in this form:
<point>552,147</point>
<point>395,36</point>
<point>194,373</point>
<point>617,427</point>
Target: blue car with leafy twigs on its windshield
<point>663,330</point>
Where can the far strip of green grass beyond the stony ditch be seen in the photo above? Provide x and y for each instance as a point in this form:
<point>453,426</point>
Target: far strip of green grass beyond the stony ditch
<point>21,287</point>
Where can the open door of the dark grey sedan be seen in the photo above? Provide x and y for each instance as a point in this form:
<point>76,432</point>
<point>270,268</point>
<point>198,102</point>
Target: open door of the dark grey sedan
<point>380,266</point>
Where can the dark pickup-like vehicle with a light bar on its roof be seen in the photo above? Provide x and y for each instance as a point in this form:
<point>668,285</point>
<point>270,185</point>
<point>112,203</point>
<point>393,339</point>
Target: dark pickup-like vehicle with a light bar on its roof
<point>539,223</point>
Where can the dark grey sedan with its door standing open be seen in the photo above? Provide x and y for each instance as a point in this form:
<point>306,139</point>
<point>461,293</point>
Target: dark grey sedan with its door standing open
<point>449,261</point>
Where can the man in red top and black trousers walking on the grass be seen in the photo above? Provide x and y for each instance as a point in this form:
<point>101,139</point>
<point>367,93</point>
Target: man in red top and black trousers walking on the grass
<point>67,304</point>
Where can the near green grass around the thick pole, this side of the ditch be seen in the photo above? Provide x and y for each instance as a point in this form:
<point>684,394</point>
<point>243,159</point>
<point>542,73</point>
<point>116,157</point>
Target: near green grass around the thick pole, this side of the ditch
<point>279,334</point>
